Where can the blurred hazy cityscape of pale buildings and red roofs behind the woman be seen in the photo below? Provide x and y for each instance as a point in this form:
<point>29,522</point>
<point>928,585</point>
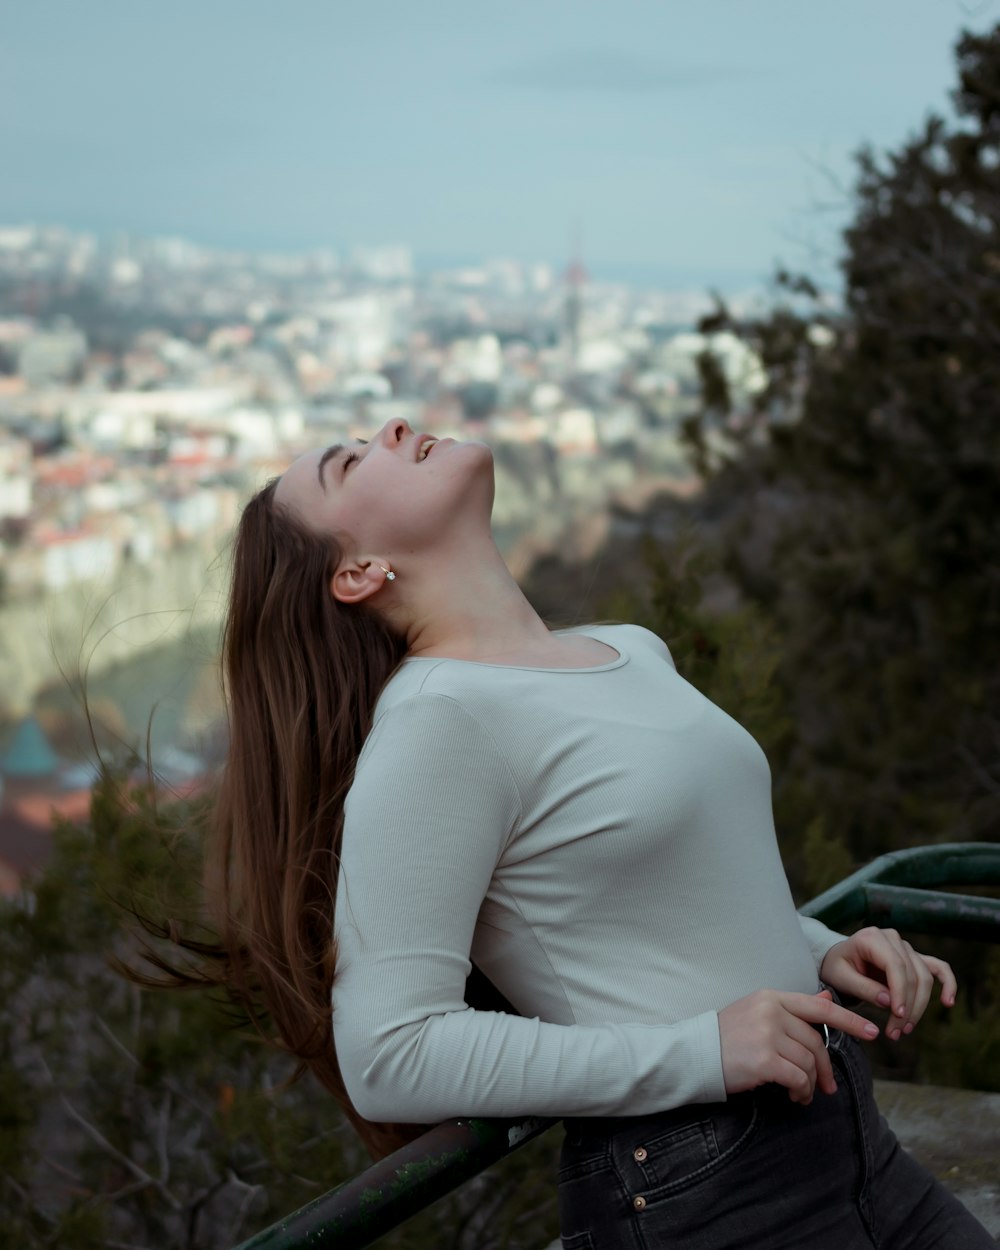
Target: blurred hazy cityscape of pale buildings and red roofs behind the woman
<point>149,386</point>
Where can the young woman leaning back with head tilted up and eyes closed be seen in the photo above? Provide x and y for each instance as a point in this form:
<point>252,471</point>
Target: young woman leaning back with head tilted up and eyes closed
<point>419,762</point>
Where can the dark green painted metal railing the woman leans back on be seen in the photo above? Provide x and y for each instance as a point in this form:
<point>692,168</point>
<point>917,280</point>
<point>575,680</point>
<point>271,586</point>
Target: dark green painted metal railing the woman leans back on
<point>901,891</point>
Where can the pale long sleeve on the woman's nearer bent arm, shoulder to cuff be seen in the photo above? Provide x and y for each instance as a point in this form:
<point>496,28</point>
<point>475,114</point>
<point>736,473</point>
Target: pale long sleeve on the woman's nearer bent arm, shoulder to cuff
<point>431,812</point>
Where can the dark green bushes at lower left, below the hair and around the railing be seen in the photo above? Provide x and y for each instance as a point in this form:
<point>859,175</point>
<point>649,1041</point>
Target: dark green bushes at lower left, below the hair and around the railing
<point>158,1119</point>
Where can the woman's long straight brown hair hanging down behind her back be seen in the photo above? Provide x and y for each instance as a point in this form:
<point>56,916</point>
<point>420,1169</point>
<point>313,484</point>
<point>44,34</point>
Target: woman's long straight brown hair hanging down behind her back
<point>302,674</point>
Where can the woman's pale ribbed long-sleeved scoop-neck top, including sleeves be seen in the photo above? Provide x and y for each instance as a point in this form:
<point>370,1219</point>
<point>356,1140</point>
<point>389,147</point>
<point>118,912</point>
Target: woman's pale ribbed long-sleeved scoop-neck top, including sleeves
<point>602,842</point>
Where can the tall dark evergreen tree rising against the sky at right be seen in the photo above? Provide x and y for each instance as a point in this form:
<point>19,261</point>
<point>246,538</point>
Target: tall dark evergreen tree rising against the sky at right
<point>861,496</point>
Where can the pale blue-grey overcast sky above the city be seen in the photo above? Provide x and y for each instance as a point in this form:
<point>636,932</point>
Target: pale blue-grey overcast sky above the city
<point>692,142</point>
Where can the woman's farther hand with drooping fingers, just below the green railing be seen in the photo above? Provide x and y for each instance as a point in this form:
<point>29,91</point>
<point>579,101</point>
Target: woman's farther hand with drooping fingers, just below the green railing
<point>882,968</point>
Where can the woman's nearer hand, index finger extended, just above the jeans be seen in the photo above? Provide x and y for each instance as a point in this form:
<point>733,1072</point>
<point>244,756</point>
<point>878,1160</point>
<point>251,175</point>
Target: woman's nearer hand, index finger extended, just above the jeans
<point>769,1038</point>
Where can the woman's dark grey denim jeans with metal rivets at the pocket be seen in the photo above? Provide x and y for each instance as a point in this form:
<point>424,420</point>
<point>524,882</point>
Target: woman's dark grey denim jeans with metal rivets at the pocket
<point>758,1173</point>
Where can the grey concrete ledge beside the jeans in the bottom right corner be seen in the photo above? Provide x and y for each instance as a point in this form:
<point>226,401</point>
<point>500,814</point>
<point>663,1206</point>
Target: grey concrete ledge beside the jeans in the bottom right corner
<point>956,1134</point>
